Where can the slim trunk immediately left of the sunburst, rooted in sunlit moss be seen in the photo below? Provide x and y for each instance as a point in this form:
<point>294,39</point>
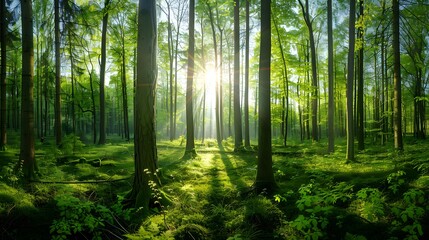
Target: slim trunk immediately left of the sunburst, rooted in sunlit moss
<point>190,142</point>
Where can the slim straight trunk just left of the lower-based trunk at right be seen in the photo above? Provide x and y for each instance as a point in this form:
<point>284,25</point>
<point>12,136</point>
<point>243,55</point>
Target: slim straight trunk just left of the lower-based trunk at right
<point>331,104</point>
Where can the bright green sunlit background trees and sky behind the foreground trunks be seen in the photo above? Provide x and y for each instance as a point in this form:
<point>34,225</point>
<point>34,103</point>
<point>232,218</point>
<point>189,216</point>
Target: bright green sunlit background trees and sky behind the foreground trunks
<point>308,75</point>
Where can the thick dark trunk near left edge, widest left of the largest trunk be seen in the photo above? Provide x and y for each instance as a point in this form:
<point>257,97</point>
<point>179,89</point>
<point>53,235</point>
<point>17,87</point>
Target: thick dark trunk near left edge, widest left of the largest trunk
<point>27,111</point>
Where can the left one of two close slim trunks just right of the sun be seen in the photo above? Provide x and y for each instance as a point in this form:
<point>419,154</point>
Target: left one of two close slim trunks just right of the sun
<point>238,143</point>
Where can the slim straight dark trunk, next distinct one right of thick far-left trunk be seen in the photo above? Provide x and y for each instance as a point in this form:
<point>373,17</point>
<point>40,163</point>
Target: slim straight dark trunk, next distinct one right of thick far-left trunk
<point>58,124</point>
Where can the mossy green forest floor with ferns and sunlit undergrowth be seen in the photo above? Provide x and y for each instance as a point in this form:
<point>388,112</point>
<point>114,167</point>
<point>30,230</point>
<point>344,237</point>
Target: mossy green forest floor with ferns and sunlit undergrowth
<point>383,195</point>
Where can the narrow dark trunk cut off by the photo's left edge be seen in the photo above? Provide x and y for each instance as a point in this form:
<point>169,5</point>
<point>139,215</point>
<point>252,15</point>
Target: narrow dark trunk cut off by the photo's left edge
<point>3,32</point>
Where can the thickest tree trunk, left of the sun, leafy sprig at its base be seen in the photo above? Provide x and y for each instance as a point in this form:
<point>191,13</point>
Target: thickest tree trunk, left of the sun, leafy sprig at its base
<point>145,152</point>
